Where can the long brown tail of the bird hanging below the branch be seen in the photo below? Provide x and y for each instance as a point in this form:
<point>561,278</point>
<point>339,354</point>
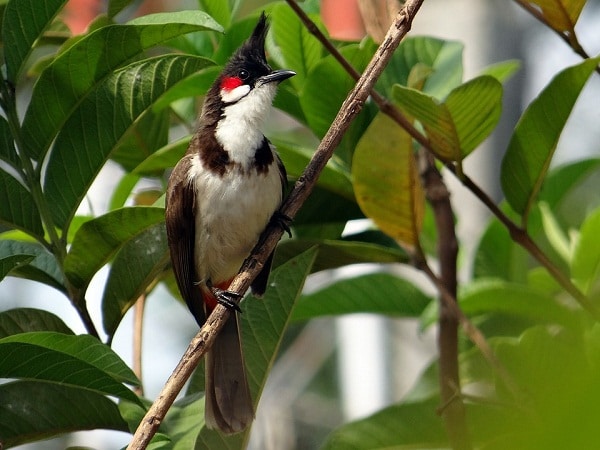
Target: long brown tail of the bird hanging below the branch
<point>228,403</point>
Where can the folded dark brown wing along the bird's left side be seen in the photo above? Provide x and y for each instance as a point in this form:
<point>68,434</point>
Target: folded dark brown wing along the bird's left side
<point>181,229</point>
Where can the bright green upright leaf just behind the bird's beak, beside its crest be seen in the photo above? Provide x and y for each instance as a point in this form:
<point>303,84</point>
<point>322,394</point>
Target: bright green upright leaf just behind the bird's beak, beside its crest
<point>299,49</point>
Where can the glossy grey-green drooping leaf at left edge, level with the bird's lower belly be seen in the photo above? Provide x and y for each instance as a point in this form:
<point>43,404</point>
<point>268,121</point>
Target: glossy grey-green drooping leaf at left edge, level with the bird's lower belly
<point>44,268</point>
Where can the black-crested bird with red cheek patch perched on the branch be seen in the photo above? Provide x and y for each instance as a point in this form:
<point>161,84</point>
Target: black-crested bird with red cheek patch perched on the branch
<point>220,196</point>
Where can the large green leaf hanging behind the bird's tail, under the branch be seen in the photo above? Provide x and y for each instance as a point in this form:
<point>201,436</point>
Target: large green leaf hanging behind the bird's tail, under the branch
<point>263,324</point>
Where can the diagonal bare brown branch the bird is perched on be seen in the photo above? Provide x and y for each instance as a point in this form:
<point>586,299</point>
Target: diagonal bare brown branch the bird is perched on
<point>302,189</point>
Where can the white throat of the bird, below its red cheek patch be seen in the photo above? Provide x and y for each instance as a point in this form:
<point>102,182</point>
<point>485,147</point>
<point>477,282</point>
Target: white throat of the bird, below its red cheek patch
<point>240,129</point>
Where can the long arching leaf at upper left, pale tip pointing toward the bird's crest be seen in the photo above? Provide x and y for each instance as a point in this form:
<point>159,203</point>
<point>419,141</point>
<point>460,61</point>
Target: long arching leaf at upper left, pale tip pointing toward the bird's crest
<point>78,72</point>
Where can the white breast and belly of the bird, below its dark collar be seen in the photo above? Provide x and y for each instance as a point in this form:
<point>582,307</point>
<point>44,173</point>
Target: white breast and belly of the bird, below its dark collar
<point>231,212</point>
